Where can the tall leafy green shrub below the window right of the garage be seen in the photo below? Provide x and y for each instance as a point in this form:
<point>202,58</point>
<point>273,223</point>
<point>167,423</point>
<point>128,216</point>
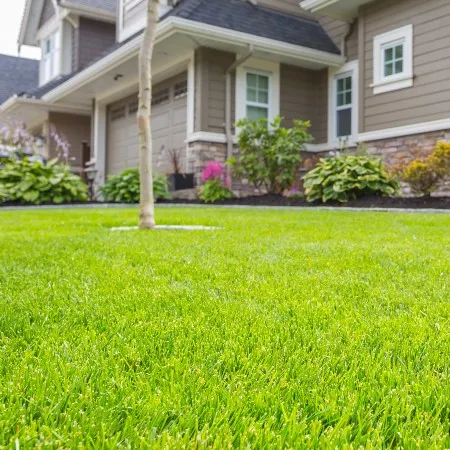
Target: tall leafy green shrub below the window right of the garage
<point>269,153</point>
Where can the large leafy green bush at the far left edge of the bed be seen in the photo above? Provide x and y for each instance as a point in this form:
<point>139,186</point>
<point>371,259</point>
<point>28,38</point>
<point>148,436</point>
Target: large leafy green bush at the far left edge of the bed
<point>36,182</point>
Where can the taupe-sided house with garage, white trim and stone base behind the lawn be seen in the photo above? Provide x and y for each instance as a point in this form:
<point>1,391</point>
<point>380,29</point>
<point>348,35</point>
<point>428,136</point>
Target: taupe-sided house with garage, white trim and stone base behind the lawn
<point>364,71</point>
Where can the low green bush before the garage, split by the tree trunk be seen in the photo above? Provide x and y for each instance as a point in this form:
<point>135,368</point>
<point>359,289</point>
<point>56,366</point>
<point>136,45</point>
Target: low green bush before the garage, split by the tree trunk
<point>125,188</point>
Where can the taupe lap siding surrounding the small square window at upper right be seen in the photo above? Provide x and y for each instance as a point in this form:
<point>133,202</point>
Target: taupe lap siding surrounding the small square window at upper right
<point>429,98</point>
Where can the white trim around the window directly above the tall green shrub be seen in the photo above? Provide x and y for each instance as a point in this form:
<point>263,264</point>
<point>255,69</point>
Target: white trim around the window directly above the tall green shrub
<point>259,67</point>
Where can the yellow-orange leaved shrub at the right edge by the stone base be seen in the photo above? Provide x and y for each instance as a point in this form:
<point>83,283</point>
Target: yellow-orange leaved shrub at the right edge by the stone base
<point>425,174</point>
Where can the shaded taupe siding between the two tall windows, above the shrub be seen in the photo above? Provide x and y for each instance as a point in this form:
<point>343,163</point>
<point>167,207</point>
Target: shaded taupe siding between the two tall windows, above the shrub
<point>303,96</point>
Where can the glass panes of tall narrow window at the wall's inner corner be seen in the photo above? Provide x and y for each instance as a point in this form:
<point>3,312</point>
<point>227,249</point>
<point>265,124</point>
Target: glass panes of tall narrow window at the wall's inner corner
<point>344,105</point>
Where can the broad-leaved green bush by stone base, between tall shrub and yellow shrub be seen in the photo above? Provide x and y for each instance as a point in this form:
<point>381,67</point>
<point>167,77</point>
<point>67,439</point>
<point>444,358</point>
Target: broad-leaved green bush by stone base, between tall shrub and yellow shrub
<point>348,177</point>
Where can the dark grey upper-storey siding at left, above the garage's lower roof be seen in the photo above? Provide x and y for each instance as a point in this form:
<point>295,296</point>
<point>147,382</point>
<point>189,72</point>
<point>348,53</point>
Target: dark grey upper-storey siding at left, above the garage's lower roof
<point>93,38</point>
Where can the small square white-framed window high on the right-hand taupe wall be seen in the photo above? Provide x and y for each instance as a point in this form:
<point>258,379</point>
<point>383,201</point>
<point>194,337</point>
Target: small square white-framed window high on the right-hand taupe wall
<point>393,60</point>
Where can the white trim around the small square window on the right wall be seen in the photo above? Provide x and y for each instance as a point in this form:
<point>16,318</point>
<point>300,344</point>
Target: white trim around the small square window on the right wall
<point>382,84</point>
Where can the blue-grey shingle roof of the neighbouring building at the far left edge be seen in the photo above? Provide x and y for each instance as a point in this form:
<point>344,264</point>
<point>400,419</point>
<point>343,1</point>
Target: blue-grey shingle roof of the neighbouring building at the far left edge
<point>17,75</point>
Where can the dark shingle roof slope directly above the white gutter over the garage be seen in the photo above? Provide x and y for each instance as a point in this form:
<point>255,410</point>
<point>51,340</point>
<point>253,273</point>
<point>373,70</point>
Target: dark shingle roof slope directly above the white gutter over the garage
<point>241,15</point>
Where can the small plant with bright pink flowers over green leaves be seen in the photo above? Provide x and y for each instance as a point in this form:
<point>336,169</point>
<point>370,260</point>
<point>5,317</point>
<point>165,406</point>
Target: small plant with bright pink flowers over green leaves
<point>216,185</point>
